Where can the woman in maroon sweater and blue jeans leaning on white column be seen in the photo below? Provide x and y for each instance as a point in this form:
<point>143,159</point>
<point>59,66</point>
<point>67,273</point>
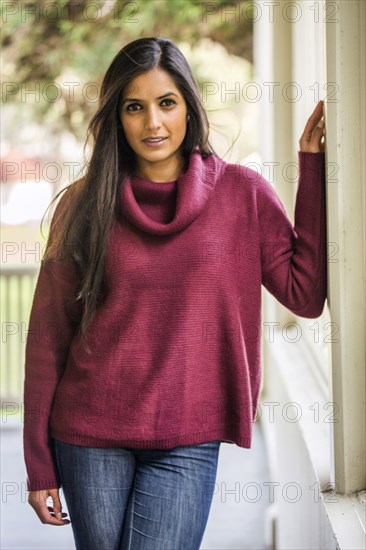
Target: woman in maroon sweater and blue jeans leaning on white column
<point>143,351</point>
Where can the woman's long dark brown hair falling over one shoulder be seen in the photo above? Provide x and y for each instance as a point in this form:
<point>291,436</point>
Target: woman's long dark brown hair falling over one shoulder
<point>83,218</point>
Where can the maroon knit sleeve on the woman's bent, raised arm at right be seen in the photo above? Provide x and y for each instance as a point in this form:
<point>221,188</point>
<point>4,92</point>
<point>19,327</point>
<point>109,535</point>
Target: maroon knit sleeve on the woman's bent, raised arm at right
<point>294,259</point>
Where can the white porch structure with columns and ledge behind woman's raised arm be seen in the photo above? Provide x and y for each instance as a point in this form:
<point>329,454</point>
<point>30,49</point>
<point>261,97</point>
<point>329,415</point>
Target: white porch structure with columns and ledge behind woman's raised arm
<point>319,46</point>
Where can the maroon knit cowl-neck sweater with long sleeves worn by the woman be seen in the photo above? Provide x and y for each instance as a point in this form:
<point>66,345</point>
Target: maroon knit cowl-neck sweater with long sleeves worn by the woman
<point>175,355</point>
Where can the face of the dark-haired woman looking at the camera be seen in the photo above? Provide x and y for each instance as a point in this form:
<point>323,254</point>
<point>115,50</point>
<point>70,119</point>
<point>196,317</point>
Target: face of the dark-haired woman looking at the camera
<point>145,113</point>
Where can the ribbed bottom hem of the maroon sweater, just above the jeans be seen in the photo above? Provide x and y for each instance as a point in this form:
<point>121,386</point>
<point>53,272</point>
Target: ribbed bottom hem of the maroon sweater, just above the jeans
<point>167,443</point>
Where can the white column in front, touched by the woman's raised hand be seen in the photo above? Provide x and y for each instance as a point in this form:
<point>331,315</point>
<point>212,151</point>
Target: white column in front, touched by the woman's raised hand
<point>345,126</point>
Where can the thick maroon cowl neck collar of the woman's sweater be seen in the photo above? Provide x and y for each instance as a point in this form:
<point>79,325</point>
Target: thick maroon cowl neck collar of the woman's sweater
<point>193,189</point>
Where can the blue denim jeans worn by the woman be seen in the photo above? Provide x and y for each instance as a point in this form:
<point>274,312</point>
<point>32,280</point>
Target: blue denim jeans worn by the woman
<point>138,499</point>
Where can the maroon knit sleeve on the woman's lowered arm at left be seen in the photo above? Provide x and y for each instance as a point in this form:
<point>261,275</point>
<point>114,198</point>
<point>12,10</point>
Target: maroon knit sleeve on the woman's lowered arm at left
<point>50,331</point>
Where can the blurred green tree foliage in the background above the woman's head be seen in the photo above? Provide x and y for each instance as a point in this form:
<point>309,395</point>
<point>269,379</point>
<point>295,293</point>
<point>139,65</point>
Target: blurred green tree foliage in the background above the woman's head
<point>56,52</point>
